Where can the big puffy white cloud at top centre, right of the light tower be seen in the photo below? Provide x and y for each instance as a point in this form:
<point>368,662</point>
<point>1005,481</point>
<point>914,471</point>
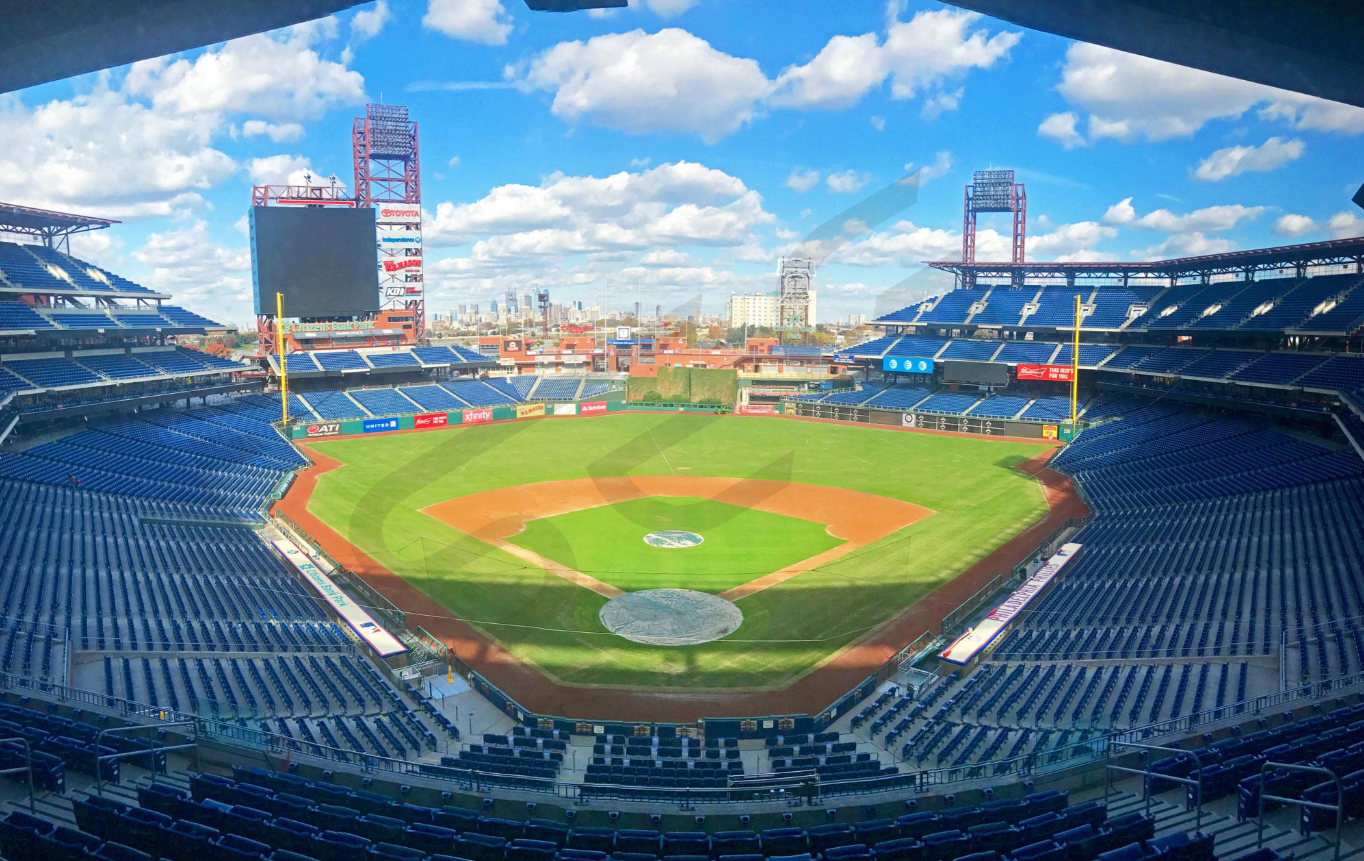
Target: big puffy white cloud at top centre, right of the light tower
<point>640,83</point>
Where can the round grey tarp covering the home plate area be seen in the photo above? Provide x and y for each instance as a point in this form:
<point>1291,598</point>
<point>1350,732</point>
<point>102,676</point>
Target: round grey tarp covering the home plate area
<point>670,617</point>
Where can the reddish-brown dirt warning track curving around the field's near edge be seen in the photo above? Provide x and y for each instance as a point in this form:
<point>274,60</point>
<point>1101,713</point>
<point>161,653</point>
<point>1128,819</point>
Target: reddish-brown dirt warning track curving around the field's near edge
<point>811,694</point>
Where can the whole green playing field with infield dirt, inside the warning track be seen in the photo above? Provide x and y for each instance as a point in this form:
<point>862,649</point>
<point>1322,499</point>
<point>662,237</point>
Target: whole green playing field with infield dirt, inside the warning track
<point>818,533</point>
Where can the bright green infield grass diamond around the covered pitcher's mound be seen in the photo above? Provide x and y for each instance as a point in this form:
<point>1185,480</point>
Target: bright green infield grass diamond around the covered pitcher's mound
<point>741,544</point>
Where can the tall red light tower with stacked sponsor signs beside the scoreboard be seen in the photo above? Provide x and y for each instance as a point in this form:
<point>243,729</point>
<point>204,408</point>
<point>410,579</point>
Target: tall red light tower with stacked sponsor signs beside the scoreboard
<point>388,175</point>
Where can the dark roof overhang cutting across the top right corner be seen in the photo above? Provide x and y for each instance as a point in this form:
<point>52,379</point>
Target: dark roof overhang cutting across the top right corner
<point>1311,48</point>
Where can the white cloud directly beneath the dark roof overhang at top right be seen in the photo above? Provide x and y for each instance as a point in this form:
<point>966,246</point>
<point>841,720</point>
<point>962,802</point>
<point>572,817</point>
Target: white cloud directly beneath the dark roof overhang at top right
<point>1131,98</point>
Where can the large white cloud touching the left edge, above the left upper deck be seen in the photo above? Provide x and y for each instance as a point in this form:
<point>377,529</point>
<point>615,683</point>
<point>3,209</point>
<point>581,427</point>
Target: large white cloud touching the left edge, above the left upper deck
<point>107,156</point>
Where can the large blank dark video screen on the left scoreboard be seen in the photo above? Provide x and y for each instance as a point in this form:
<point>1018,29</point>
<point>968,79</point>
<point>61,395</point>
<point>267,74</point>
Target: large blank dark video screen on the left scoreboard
<point>324,260</point>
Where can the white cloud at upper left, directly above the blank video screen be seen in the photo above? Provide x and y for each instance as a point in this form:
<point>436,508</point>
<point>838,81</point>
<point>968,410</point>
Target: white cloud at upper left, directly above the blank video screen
<point>276,76</point>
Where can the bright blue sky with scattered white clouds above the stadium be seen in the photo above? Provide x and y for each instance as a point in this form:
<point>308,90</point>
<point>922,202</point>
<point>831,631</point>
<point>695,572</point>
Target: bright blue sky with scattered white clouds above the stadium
<point>677,149</point>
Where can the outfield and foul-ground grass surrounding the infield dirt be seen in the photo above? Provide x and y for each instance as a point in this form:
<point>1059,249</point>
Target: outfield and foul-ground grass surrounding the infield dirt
<point>979,500</point>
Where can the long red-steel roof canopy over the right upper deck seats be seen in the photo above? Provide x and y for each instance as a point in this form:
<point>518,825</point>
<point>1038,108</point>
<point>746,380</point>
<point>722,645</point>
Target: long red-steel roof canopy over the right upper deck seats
<point>1228,263</point>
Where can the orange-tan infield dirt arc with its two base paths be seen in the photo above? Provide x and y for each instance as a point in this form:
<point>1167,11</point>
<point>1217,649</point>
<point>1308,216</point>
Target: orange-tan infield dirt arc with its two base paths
<point>857,518</point>
